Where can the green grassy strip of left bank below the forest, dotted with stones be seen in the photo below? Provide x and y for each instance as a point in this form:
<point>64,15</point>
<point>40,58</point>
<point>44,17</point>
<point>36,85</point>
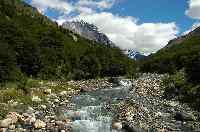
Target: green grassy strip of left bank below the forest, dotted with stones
<point>15,97</point>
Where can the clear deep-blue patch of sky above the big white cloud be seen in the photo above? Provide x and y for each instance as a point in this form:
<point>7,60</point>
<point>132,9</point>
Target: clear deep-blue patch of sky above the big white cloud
<point>157,11</point>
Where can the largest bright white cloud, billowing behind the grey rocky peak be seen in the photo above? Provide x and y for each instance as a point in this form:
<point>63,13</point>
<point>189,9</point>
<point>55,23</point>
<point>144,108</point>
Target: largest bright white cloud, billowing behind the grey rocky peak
<point>126,33</point>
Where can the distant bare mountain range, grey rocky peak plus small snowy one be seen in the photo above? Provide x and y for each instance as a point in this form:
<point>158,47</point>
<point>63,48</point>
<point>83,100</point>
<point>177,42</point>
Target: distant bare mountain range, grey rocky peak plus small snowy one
<point>91,32</point>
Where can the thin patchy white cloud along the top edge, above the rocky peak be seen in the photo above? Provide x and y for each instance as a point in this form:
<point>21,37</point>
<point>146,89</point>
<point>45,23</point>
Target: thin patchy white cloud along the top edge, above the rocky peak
<point>66,7</point>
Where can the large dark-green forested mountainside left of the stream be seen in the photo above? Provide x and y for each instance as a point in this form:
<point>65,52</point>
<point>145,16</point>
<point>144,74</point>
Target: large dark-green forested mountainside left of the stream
<point>34,46</point>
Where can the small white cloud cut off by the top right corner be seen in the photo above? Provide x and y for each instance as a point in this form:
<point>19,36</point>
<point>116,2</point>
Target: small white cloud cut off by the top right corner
<point>194,9</point>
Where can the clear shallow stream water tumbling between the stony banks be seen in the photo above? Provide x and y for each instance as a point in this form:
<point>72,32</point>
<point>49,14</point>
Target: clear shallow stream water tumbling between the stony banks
<point>91,112</point>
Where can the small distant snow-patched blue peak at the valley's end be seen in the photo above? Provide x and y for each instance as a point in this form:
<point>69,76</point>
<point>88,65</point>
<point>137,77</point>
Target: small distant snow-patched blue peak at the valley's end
<point>134,55</point>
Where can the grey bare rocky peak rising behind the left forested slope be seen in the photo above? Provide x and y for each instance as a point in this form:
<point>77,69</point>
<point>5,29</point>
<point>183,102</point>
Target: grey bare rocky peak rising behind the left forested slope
<point>88,31</point>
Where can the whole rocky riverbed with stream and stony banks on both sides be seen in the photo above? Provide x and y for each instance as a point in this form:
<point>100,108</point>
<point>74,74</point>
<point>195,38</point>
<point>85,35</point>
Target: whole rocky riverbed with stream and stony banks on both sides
<point>101,106</point>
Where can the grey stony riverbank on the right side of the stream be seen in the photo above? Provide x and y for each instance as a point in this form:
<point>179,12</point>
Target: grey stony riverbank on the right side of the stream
<point>147,110</point>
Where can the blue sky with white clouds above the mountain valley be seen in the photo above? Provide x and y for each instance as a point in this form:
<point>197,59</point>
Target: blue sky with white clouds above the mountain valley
<point>147,24</point>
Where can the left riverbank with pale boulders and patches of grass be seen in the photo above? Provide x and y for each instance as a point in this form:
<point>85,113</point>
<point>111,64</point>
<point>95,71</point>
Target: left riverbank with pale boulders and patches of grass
<point>41,108</point>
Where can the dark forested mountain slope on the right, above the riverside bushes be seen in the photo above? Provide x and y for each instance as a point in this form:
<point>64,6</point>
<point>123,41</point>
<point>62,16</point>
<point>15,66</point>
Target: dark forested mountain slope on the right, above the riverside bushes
<point>180,53</point>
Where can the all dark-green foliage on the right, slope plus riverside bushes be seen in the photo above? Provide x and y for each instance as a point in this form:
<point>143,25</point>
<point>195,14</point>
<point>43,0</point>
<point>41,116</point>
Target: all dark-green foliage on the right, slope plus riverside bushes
<point>182,61</point>
